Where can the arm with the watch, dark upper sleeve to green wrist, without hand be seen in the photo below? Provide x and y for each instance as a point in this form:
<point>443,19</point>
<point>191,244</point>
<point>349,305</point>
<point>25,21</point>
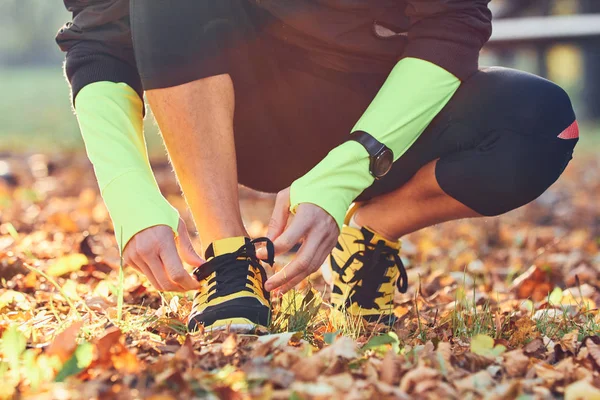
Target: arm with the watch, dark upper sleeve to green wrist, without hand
<point>444,41</point>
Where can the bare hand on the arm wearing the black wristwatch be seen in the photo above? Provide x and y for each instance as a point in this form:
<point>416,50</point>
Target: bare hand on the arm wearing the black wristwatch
<point>312,225</point>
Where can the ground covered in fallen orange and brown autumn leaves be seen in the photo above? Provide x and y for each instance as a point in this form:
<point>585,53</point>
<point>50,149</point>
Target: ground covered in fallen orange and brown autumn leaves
<point>499,308</point>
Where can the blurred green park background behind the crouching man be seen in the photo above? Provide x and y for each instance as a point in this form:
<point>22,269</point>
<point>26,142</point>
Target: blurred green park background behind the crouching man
<point>558,39</point>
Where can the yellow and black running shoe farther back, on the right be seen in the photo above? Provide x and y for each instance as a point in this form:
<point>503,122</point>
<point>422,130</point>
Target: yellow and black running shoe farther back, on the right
<point>366,268</point>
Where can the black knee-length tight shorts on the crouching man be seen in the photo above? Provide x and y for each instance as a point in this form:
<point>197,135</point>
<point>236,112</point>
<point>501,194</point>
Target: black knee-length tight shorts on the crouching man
<point>501,141</point>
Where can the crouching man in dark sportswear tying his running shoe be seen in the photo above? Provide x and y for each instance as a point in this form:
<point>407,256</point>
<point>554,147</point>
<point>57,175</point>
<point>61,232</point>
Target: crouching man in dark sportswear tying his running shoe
<point>328,102</point>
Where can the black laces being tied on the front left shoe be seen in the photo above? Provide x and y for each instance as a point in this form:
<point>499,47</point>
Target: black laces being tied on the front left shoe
<point>232,269</point>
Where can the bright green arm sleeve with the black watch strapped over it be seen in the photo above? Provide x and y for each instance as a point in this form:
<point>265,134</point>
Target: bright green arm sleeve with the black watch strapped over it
<point>414,93</point>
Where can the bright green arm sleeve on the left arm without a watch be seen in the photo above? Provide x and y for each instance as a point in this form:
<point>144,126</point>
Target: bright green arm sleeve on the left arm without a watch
<point>110,117</point>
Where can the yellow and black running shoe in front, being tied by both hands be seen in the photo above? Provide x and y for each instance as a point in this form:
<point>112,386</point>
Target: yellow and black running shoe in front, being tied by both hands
<point>232,295</point>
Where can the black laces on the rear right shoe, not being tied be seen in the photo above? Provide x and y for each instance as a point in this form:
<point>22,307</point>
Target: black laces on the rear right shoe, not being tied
<point>376,259</point>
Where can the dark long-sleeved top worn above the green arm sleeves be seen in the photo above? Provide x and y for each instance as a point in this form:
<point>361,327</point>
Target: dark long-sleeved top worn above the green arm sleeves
<point>351,35</point>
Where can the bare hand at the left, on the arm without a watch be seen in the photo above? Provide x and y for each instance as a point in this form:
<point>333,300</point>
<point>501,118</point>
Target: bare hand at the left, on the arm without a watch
<point>156,253</point>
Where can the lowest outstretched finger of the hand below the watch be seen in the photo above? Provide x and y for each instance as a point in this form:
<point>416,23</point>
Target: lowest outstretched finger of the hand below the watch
<point>299,268</point>
